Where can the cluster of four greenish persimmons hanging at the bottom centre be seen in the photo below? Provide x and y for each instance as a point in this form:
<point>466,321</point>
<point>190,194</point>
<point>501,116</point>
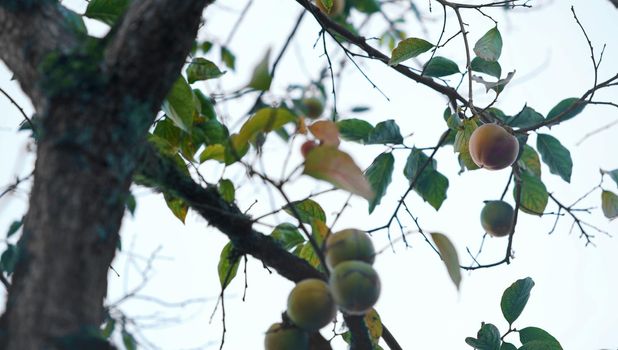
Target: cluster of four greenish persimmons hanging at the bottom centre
<point>353,286</point>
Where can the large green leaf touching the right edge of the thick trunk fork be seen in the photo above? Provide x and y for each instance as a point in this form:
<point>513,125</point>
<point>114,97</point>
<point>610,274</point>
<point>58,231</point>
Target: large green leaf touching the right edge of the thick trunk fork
<point>179,106</point>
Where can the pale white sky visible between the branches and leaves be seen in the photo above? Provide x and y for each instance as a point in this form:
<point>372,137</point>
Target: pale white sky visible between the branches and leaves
<point>574,297</point>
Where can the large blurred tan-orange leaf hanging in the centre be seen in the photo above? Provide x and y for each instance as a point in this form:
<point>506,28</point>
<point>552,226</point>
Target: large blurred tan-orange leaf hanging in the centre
<point>337,167</point>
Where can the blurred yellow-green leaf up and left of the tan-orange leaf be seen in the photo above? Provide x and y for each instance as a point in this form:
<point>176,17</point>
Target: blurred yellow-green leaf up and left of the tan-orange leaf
<point>264,120</point>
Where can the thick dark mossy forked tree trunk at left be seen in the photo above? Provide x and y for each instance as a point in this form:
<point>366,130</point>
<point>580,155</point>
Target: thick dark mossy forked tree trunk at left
<point>93,121</point>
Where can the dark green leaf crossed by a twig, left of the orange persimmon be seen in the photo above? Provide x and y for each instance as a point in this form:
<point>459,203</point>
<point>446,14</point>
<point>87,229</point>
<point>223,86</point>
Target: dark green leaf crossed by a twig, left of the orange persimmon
<point>431,185</point>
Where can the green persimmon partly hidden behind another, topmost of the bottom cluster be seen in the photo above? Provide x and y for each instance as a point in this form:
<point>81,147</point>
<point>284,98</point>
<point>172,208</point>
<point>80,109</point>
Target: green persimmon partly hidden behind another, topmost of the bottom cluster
<point>349,244</point>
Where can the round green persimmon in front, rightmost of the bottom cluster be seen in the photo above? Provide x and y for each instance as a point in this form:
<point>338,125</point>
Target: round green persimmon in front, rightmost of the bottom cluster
<point>355,286</point>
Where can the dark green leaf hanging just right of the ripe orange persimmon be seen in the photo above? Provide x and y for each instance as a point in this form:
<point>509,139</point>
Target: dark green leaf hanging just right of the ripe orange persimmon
<point>555,155</point>
